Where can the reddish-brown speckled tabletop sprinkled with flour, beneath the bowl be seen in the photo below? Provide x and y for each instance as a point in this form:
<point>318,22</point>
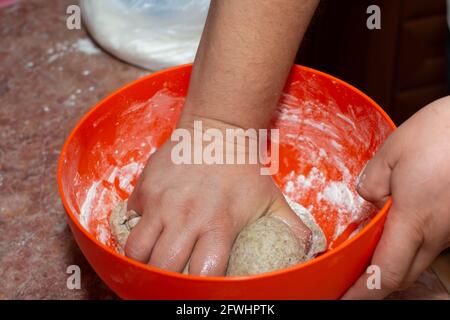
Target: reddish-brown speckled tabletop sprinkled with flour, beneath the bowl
<point>50,76</point>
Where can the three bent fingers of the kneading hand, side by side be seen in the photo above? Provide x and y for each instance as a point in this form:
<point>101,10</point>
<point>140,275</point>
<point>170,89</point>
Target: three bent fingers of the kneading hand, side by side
<point>169,245</point>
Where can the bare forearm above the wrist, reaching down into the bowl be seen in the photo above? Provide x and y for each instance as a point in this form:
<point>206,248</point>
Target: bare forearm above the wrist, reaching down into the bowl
<point>244,58</point>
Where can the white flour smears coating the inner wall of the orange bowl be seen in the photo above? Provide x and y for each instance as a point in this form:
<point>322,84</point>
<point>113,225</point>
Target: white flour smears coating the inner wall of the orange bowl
<point>323,147</point>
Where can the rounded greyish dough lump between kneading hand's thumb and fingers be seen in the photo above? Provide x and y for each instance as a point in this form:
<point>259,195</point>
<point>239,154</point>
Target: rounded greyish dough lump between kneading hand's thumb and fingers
<point>267,244</point>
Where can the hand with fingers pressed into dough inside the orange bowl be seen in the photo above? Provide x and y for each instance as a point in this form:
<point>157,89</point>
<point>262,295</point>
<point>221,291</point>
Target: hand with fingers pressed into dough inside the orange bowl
<point>194,212</point>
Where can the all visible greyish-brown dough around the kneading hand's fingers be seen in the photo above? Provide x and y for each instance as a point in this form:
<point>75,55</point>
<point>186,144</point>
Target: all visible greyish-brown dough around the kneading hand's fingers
<point>265,245</point>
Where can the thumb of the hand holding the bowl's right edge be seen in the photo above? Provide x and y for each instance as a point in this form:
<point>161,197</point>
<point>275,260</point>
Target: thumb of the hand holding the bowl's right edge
<point>374,181</point>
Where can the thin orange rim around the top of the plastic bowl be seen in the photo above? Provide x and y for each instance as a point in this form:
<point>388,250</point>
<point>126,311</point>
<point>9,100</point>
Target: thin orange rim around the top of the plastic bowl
<point>73,217</point>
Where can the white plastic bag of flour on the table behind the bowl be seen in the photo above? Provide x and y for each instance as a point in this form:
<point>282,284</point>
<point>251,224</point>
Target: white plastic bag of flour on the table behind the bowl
<point>153,34</point>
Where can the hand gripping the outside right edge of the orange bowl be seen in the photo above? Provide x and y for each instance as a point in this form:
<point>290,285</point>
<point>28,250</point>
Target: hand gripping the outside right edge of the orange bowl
<point>413,166</point>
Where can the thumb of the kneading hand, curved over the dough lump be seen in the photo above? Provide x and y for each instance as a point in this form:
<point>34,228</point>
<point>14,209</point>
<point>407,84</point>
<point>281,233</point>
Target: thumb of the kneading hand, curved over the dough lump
<point>282,210</point>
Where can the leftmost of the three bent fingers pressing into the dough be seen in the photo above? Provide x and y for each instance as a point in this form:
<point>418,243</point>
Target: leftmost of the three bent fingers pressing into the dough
<point>142,238</point>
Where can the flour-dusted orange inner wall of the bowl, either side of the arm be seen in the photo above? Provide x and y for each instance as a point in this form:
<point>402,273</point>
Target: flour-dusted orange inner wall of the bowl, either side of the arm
<point>328,131</point>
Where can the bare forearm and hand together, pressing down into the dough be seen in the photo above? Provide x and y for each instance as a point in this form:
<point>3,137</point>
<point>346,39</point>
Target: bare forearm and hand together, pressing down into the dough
<point>194,212</point>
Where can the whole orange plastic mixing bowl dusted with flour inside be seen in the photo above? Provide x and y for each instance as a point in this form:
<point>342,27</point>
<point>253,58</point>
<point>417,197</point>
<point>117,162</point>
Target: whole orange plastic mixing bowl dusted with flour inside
<point>323,118</point>
